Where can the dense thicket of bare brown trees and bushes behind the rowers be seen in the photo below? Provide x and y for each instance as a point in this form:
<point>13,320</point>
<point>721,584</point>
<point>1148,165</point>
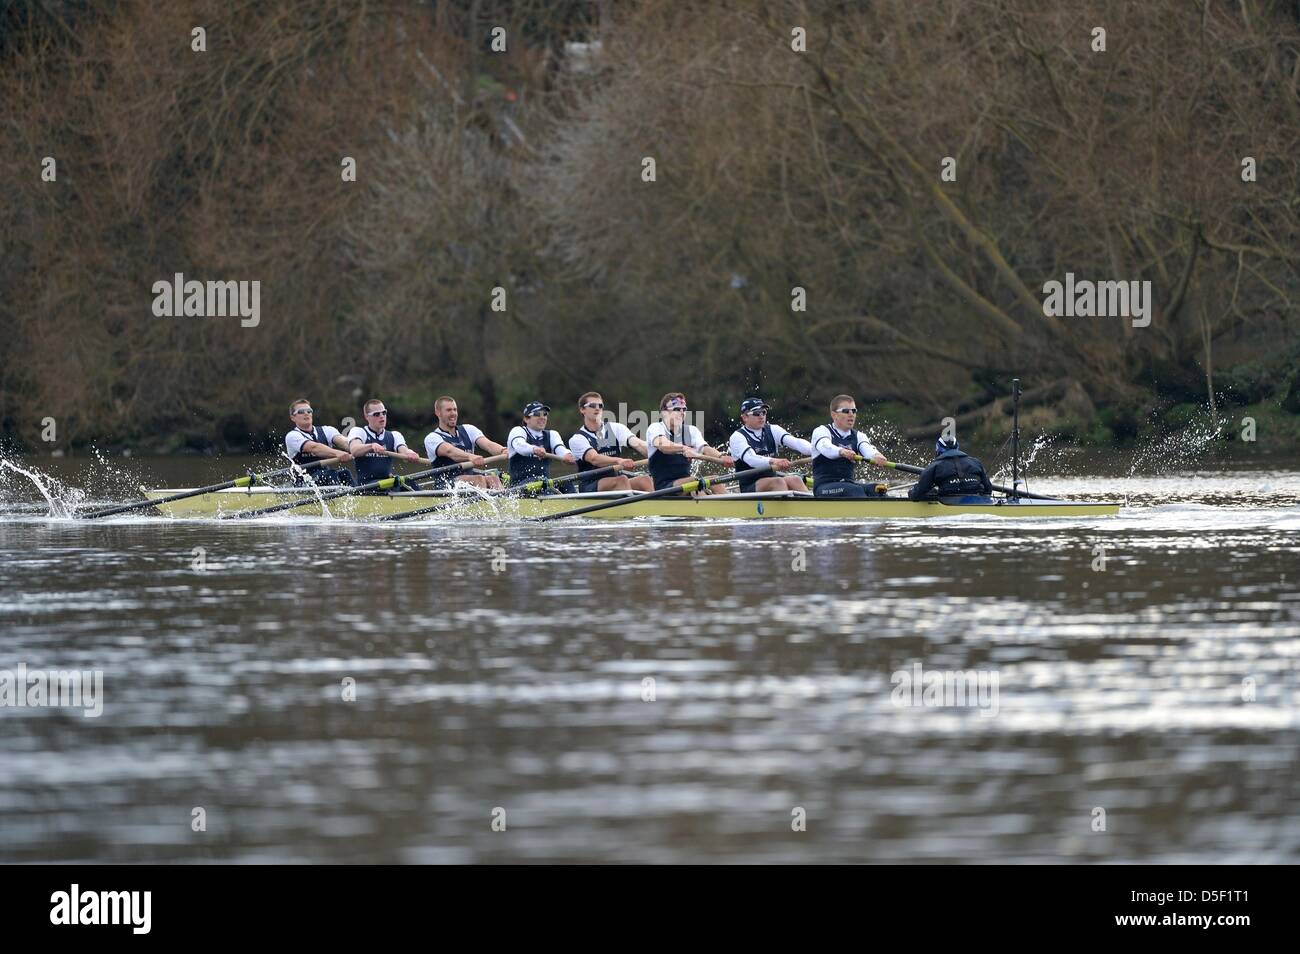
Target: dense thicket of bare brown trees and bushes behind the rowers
<point>523,170</point>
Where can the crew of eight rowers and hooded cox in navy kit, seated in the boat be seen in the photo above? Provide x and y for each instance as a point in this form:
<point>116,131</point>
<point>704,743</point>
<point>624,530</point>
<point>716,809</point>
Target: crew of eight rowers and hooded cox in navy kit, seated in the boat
<point>669,448</point>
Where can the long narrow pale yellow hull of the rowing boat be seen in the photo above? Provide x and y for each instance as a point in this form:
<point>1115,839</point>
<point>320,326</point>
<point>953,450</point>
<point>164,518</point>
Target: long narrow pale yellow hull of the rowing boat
<point>482,506</point>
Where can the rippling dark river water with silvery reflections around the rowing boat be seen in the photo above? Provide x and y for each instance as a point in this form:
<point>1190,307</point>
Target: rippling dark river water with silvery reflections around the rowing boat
<point>658,691</point>
